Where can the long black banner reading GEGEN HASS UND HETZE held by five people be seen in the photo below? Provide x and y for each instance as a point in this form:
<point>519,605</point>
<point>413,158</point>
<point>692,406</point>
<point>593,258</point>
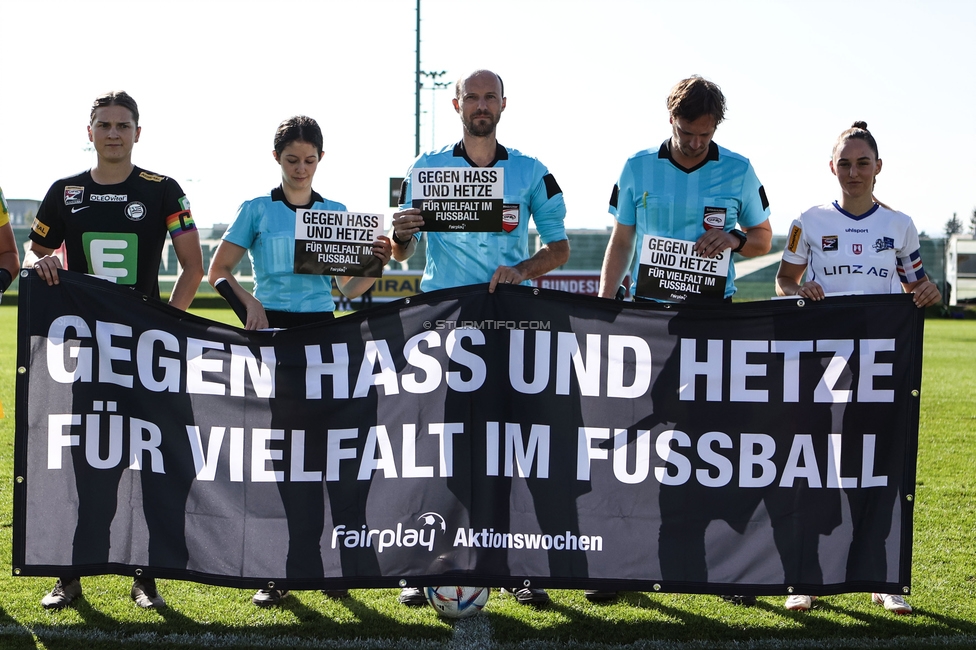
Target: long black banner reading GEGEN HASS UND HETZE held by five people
<point>471,437</point>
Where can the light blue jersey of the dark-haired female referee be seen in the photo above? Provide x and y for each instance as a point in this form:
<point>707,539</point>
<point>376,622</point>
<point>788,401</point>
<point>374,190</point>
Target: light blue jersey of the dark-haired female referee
<point>265,226</point>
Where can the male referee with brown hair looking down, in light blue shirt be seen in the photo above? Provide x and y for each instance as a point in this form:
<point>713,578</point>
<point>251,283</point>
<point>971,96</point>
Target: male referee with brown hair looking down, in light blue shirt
<point>664,192</point>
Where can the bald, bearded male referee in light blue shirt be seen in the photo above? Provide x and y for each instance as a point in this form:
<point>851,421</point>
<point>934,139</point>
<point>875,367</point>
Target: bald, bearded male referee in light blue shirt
<point>456,259</point>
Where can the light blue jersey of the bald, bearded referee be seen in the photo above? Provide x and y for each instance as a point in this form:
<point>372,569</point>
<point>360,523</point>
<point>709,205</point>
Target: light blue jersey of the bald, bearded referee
<point>457,259</point>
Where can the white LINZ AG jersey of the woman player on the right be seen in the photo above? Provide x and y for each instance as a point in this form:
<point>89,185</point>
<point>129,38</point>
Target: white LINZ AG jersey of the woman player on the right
<point>872,253</point>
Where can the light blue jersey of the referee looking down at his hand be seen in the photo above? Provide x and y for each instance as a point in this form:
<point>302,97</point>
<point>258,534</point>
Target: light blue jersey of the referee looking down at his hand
<point>665,200</point>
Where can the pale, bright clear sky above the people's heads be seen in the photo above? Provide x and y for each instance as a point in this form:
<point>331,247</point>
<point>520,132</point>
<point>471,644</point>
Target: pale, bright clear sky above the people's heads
<point>586,82</point>
